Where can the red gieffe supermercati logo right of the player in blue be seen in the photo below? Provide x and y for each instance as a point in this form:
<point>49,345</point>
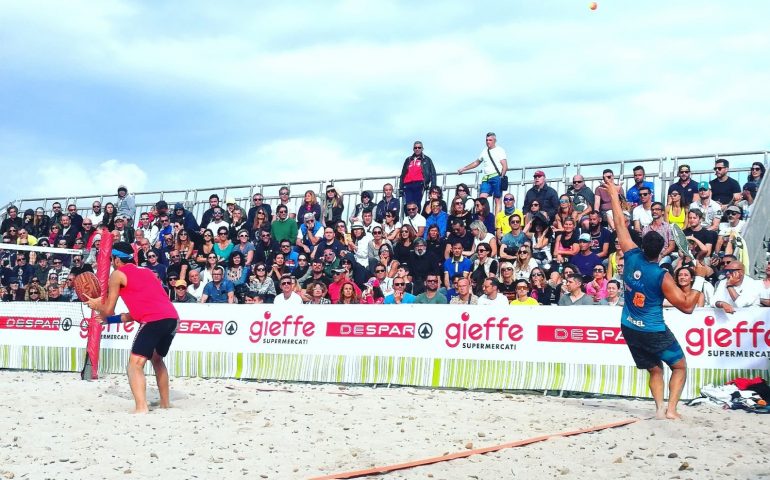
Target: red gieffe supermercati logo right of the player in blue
<point>743,335</point>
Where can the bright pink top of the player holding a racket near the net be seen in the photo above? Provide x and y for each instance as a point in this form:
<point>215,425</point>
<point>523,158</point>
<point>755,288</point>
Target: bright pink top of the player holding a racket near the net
<point>144,296</point>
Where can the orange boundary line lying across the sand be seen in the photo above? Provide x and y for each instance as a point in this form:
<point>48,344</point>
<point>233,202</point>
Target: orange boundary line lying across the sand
<point>468,453</point>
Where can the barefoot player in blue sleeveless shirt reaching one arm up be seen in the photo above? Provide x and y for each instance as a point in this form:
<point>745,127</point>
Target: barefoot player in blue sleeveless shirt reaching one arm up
<point>646,285</point>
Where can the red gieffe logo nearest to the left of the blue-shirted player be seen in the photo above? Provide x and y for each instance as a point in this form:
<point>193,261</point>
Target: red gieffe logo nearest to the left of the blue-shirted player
<point>500,333</point>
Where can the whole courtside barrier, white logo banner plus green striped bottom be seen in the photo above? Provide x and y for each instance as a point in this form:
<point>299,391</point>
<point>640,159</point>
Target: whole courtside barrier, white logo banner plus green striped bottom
<point>440,346</point>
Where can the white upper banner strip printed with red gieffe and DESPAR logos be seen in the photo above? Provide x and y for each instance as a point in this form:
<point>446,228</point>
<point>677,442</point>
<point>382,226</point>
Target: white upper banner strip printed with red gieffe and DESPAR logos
<point>570,335</point>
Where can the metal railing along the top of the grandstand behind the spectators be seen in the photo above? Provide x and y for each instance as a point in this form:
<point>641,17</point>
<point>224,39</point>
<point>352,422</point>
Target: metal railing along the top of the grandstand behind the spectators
<point>659,170</point>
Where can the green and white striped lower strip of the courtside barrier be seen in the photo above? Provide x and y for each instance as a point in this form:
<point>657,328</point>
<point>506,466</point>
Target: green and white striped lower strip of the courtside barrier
<point>411,371</point>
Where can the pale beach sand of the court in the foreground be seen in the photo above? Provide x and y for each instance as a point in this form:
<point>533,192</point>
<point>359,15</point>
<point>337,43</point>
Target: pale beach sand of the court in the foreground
<point>56,426</point>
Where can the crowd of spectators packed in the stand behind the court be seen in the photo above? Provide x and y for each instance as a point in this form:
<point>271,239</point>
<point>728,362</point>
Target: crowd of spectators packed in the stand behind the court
<point>414,247</point>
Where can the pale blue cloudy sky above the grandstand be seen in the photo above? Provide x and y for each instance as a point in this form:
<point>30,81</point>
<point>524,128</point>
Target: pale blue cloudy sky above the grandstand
<point>192,94</point>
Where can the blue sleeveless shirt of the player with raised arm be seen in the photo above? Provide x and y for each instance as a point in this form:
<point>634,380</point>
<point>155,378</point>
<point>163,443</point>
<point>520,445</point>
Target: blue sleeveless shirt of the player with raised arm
<point>643,309</point>
